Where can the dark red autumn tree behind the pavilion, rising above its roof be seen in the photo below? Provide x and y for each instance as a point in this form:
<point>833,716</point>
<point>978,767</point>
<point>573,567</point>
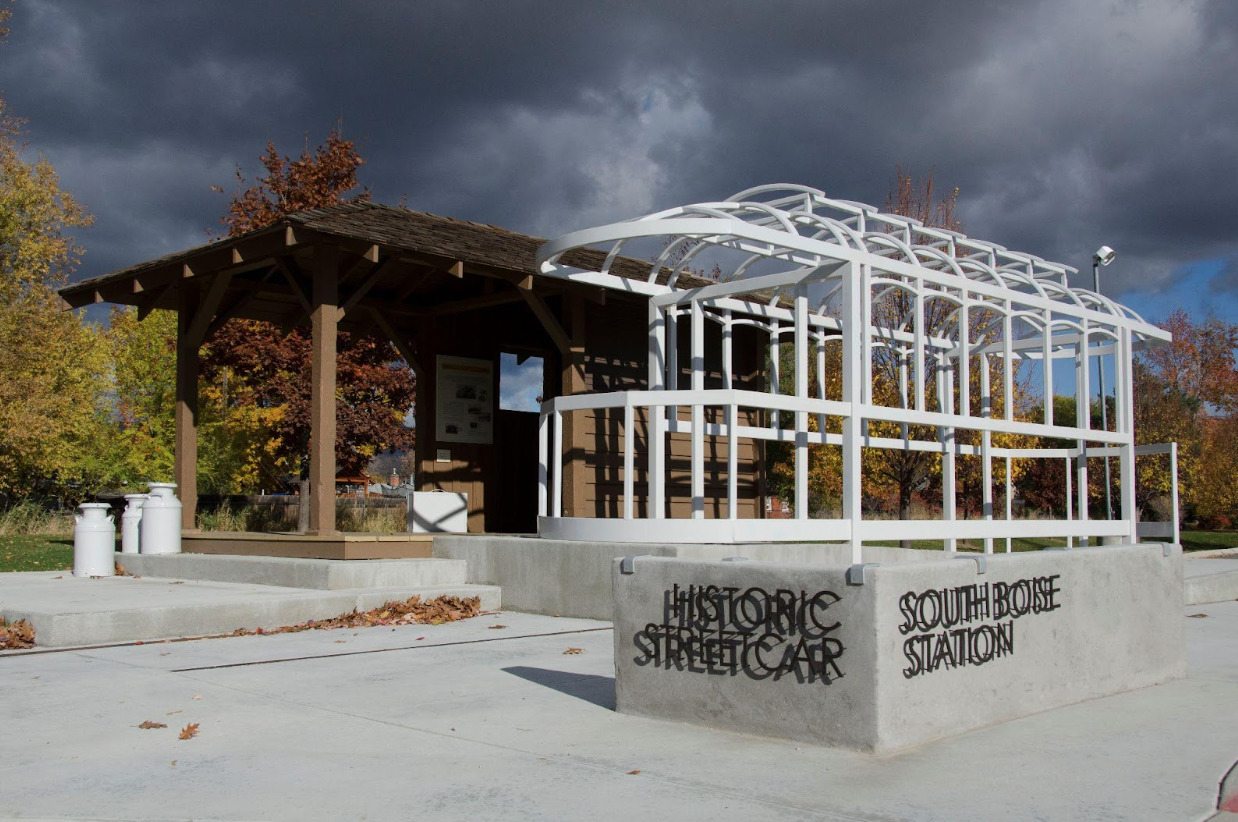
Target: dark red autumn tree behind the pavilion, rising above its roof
<point>258,368</point>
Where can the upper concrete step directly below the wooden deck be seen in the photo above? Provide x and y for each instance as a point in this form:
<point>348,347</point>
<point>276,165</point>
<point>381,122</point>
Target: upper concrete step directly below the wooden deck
<point>285,573</point>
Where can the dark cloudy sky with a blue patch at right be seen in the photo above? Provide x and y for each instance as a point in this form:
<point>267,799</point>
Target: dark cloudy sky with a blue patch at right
<point>1065,124</point>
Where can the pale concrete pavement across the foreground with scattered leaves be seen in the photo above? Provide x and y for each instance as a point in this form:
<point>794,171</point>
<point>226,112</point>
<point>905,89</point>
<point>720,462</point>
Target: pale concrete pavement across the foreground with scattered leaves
<point>478,722</point>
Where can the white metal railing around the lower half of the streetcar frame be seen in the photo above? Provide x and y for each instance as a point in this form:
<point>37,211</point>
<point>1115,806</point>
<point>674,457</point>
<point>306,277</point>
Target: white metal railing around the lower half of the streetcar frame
<point>662,415</point>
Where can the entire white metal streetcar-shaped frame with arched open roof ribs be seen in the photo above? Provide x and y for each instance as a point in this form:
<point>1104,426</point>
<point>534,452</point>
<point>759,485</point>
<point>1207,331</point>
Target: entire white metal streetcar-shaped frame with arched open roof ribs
<point>949,324</point>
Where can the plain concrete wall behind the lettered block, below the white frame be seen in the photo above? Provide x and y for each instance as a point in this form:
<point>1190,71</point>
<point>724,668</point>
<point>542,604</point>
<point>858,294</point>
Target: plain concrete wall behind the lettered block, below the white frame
<point>569,579</point>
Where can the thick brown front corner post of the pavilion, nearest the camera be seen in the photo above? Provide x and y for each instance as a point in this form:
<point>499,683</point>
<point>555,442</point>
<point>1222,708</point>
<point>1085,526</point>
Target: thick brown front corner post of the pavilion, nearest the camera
<point>324,320</point>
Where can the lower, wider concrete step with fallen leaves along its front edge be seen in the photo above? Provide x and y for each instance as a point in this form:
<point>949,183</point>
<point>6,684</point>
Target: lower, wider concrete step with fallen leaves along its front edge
<point>70,611</point>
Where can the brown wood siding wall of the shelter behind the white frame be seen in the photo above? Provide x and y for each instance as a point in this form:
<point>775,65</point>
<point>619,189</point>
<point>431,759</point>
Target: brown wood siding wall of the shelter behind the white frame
<point>615,341</point>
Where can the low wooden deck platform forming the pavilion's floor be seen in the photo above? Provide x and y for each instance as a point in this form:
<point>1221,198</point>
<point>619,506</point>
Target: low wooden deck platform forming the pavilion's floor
<point>334,547</point>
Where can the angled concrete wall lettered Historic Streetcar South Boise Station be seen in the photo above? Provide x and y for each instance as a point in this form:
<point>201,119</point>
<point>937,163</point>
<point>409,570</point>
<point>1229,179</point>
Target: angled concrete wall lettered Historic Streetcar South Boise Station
<point>919,652</point>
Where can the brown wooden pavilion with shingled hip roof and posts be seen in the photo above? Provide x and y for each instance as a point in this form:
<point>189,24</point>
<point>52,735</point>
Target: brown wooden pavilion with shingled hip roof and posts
<point>444,292</point>
